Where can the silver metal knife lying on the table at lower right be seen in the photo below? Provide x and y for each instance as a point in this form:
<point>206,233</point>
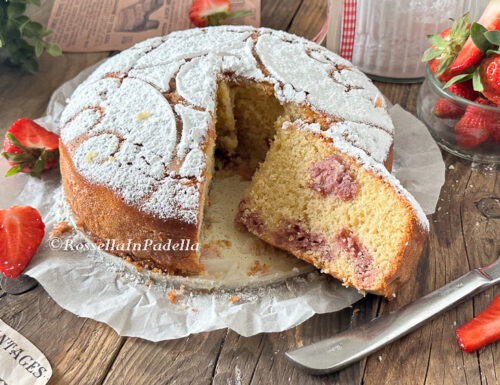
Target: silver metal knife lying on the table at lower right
<point>348,347</point>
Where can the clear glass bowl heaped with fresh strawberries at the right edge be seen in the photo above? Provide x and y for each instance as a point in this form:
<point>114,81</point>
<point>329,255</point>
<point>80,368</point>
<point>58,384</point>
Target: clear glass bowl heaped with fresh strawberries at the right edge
<point>459,100</point>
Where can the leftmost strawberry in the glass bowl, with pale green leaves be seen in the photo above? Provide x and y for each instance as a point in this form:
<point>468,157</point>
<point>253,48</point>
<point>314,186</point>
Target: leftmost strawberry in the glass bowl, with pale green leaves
<point>445,48</point>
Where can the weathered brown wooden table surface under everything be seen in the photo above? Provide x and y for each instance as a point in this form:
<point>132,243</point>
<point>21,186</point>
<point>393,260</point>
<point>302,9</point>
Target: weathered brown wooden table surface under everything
<point>83,351</point>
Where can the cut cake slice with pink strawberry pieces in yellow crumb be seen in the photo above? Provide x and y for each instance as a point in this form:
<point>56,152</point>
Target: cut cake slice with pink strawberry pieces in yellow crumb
<point>330,204</point>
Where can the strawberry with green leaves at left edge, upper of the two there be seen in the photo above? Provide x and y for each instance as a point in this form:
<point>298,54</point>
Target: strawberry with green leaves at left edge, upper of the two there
<point>30,148</point>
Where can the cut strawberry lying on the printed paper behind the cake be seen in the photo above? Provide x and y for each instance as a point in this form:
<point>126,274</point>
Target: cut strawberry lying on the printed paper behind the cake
<point>212,12</point>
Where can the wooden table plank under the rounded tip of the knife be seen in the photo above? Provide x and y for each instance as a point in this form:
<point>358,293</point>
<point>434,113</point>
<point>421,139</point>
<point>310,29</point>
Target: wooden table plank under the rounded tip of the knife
<point>260,359</point>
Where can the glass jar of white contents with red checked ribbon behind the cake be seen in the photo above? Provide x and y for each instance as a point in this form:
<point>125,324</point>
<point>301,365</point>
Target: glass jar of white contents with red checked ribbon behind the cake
<point>390,36</point>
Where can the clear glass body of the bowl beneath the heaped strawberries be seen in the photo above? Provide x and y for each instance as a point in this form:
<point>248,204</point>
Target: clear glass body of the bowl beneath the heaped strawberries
<point>443,130</point>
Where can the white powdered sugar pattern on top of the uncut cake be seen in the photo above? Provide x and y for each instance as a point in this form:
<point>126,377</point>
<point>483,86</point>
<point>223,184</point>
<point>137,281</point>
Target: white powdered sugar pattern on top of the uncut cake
<point>123,132</point>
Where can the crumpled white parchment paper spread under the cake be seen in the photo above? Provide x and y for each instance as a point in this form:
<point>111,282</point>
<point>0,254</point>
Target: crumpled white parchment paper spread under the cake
<point>93,284</point>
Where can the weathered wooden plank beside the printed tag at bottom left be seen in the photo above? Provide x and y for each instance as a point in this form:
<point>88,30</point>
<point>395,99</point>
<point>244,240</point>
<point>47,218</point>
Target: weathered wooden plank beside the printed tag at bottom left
<point>79,349</point>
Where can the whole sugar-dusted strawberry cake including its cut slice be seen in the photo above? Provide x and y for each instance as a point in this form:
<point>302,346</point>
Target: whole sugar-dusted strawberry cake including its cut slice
<point>140,139</point>
